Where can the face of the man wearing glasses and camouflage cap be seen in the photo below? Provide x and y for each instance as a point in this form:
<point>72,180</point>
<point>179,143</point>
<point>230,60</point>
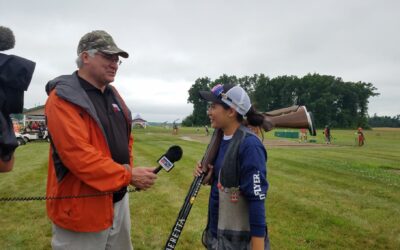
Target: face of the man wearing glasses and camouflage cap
<point>102,67</point>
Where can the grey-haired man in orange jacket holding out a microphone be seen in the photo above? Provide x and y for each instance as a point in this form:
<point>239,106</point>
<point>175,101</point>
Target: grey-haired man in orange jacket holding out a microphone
<point>91,151</point>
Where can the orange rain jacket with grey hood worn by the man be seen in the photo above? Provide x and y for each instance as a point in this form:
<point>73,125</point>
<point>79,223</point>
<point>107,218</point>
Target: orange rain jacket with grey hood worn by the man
<point>85,165</point>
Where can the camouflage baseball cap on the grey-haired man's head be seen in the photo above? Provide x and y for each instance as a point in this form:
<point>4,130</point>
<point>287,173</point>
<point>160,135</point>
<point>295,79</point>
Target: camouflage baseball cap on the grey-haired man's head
<point>102,41</point>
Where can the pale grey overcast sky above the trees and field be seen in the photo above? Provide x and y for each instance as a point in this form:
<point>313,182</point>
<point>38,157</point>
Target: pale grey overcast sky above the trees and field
<point>172,43</point>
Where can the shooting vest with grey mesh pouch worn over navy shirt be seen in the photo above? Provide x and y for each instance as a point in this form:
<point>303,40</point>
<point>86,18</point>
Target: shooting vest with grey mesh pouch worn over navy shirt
<point>233,213</point>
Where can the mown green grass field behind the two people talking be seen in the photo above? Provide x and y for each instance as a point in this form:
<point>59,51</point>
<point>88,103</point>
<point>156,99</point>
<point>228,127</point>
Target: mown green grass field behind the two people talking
<point>339,197</point>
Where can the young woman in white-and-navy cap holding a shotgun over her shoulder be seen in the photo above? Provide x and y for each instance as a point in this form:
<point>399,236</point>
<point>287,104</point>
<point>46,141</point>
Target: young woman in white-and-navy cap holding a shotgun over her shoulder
<point>236,212</point>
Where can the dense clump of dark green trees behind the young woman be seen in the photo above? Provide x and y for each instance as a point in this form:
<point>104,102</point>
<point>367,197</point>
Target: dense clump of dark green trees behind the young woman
<point>334,102</point>
